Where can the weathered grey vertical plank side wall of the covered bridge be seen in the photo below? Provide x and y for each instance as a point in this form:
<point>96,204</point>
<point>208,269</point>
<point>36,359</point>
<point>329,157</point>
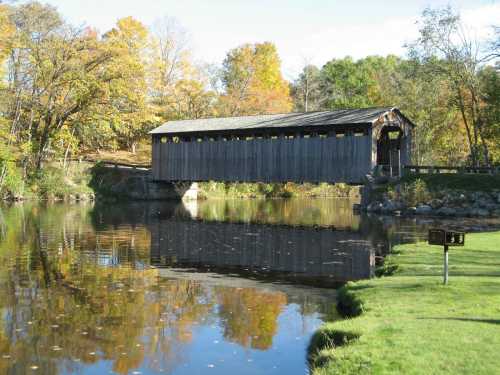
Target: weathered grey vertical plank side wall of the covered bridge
<point>314,159</point>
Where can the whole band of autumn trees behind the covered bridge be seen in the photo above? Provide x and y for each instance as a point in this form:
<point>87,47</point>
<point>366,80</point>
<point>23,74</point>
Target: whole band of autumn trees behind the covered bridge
<point>68,92</point>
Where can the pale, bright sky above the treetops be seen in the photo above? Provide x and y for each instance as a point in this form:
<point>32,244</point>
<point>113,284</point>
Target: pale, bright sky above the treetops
<point>304,31</point>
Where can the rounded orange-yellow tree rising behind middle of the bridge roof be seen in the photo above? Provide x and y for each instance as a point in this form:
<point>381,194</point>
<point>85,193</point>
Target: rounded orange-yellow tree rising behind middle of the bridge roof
<point>253,83</point>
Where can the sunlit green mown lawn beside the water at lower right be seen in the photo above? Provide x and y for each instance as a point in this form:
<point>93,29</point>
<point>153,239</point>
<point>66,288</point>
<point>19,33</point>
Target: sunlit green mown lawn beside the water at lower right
<point>409,323</point>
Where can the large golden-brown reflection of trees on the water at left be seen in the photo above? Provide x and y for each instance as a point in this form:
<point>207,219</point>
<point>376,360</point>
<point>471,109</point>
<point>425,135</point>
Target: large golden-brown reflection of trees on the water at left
<point>61,306</point>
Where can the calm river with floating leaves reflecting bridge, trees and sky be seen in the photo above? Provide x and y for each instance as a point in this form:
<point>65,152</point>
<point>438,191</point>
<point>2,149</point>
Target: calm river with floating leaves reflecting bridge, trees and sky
<point>221,287</point>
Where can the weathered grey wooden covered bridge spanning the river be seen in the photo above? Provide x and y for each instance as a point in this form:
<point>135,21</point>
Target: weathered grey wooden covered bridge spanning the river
<point>338,146</point>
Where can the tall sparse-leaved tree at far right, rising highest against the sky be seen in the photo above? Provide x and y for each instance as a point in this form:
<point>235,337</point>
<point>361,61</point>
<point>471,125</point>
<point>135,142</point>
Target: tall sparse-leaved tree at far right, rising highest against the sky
<point>445,48</point>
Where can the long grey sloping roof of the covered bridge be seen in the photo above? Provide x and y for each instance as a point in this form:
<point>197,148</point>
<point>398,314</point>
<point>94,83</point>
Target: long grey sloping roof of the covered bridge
<point>286,120</point>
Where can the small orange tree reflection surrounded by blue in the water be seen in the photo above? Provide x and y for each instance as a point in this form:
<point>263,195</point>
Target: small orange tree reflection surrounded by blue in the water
<point>250,316</point>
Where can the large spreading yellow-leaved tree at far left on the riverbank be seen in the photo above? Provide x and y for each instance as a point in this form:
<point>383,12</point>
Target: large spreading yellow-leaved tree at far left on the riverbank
<point>56,73</point>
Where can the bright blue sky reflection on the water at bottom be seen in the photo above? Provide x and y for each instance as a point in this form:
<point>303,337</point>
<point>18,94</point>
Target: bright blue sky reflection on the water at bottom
<point>210,352</point>
